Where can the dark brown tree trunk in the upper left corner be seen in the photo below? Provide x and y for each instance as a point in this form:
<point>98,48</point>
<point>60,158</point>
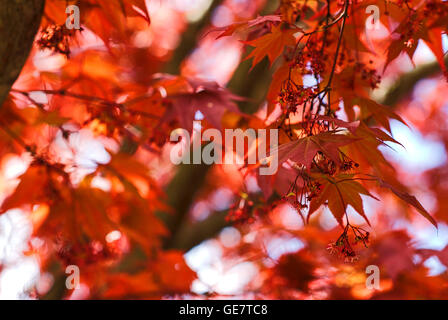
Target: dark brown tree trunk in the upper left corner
<point>19,23</point>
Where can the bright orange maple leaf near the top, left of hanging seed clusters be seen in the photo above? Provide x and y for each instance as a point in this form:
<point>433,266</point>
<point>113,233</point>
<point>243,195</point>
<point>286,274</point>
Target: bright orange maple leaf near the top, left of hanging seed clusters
<point>271,44</point>
